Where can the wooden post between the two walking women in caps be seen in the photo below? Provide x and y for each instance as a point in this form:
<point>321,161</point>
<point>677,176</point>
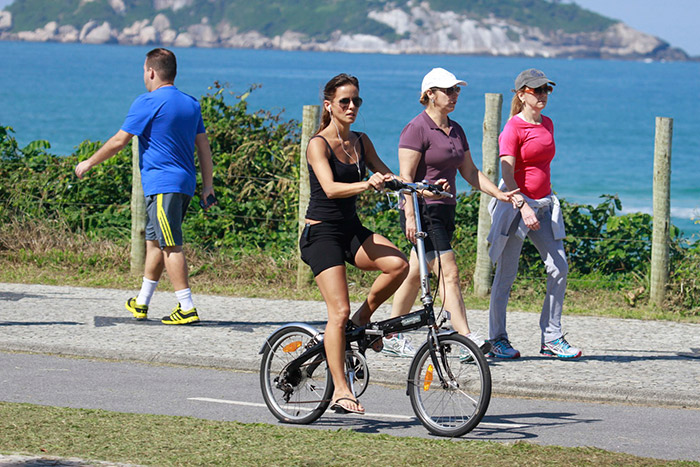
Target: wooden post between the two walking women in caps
<point>489,147</point>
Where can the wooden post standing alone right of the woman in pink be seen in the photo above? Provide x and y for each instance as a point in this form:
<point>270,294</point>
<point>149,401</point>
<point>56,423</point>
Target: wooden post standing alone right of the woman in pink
<point>662,210</point>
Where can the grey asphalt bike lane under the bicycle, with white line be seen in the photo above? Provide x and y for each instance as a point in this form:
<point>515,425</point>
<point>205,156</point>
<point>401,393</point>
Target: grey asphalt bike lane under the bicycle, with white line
<point>231,395</point>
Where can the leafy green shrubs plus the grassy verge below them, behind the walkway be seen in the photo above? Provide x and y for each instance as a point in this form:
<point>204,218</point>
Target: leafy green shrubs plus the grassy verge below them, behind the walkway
<point>250,237</point>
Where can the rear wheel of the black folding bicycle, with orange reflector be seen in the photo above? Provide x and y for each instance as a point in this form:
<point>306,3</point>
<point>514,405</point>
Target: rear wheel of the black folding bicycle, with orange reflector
<point>307,394</point>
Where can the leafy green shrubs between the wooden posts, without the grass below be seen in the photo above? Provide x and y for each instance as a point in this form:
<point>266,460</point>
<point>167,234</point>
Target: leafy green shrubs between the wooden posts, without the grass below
<point>256,168</point>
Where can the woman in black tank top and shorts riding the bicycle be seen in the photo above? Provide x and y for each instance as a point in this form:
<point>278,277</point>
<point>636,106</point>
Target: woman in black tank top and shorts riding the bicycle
<point>334,235</point>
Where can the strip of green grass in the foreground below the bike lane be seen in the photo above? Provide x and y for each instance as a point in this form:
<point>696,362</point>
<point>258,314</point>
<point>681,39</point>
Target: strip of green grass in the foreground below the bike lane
<point>166,440</point>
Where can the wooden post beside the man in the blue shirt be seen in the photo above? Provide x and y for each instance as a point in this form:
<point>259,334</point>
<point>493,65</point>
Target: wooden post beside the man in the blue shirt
<point>138,213</point>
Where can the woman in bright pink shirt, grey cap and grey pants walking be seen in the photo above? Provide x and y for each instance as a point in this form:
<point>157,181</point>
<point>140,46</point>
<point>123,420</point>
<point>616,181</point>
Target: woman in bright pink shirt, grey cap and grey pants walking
<point>527,149</point>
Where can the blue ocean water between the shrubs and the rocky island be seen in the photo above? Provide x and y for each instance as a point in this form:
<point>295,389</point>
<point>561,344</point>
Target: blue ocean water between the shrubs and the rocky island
<point>603,111</point>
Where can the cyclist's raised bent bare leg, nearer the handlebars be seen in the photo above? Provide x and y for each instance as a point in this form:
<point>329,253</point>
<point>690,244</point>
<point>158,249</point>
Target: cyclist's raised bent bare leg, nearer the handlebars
<point>379,254</point>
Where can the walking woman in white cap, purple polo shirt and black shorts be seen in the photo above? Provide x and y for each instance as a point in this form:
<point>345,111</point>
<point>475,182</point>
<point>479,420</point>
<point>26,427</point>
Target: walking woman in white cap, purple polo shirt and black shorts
<point>433,147</point>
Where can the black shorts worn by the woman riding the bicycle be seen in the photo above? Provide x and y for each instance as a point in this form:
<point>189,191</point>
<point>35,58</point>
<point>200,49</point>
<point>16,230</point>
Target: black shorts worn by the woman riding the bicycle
<point>328,244</point>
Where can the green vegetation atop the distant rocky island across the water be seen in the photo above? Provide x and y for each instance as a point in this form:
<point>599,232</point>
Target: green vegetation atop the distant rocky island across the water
<point>314,18</point>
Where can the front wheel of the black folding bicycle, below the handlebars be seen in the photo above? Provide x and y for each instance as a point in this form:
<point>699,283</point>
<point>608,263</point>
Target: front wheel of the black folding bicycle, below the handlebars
<point>457,405</point>
